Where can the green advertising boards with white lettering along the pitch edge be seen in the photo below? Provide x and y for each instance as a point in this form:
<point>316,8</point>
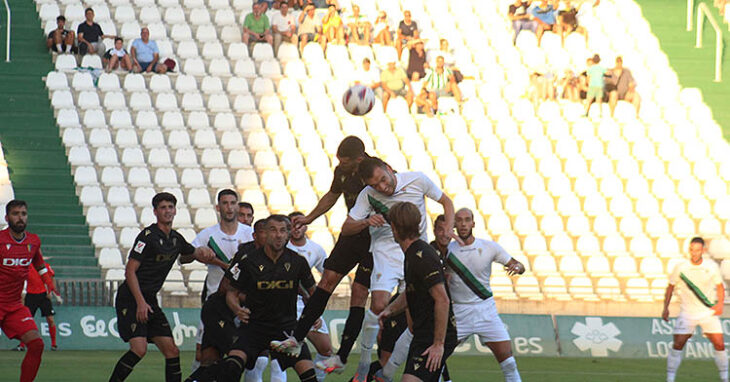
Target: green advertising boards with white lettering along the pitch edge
<point>94,328</point>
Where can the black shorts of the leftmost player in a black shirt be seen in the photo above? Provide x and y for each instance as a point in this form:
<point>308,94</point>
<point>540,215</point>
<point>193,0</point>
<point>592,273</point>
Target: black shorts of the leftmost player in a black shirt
<point>127,325</point>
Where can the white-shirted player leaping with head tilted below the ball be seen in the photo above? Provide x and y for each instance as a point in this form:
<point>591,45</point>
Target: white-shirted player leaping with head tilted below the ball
<point>386,188</point>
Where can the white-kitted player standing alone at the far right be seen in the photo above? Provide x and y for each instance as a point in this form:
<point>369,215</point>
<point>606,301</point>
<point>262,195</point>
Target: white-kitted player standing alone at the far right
<point>701,298</point>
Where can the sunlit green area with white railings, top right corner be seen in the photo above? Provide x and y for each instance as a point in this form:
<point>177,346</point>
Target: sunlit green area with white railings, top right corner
<point>695,67</point>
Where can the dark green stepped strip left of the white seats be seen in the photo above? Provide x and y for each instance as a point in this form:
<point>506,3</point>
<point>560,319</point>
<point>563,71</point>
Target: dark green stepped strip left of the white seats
<point>36,157</point>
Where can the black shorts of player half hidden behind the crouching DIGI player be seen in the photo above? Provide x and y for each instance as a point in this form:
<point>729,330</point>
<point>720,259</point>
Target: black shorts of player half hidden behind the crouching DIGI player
<point>219,330</point>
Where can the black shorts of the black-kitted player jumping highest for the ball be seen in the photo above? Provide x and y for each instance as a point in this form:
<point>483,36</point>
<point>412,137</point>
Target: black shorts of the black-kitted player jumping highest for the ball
<point>350,251</point>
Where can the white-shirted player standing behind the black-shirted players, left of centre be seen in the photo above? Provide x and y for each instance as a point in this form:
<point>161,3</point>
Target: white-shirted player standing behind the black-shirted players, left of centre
<point>224,239</point>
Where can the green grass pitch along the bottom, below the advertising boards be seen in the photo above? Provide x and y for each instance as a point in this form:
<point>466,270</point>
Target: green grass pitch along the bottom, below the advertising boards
<point>95,366</point>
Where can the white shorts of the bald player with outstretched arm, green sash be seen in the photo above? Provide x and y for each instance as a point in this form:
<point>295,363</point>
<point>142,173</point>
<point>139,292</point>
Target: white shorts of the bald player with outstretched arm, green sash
<point>481,319</point>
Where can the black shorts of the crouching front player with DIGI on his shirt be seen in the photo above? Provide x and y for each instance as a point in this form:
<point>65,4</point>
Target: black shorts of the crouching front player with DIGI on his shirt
<point>253,340</point>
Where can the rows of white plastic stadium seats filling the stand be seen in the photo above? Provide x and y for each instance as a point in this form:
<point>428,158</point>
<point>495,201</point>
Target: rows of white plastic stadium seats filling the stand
<point>597,208</point>
